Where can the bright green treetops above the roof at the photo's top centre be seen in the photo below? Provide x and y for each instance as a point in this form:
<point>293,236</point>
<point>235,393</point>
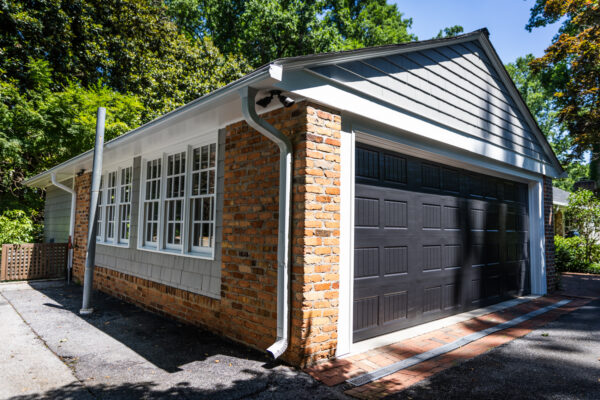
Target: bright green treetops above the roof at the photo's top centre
<point>264,30</point>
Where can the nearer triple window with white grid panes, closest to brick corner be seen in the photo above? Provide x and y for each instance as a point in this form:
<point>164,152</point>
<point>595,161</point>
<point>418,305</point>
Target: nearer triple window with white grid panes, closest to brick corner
<point>178,201</point>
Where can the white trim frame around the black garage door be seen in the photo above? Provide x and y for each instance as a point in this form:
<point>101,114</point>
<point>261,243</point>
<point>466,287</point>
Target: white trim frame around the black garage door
<point>353,131</point>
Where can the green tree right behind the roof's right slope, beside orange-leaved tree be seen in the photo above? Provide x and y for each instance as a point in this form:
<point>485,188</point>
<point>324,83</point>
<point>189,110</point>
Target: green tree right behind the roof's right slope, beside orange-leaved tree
<point>543,106</point>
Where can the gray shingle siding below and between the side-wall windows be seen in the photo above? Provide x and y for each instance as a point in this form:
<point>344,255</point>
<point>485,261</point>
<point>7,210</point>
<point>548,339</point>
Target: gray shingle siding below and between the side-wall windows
<point>187,273</point>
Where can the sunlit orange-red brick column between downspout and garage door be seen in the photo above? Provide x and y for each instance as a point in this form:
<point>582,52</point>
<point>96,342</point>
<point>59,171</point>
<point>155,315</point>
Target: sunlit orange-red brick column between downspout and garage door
<point>316,238</point>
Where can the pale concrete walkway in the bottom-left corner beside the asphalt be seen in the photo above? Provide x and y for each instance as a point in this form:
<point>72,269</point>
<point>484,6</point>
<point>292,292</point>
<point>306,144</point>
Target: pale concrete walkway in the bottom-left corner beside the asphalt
<point>27,366</point>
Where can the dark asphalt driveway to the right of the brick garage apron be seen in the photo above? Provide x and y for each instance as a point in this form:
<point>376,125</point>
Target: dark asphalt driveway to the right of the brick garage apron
<point>559,361</point>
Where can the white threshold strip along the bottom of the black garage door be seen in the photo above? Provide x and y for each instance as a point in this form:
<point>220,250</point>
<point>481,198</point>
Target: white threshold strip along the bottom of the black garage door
<point>418,330</point>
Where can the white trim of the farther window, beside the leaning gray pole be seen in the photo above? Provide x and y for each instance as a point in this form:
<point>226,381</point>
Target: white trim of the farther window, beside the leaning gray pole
<point>101,236</point>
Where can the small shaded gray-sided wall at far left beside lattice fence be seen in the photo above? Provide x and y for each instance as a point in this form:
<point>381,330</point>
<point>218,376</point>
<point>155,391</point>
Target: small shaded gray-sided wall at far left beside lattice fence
<point>57,213</point>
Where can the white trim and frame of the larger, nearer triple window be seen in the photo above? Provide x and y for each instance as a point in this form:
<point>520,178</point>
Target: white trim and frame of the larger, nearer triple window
<point>186,249</point>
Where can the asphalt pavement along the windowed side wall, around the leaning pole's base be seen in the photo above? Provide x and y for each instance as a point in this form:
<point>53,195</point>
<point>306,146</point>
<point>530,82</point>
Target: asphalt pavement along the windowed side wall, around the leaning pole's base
<point>123,352</point>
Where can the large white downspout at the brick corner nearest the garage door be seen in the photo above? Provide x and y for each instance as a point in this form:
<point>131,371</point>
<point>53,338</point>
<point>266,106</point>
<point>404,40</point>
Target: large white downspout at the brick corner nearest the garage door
<point>248,95</point>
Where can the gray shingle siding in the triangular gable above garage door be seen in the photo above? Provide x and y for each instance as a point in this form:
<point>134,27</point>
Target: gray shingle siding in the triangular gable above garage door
<point>455,86</point>
